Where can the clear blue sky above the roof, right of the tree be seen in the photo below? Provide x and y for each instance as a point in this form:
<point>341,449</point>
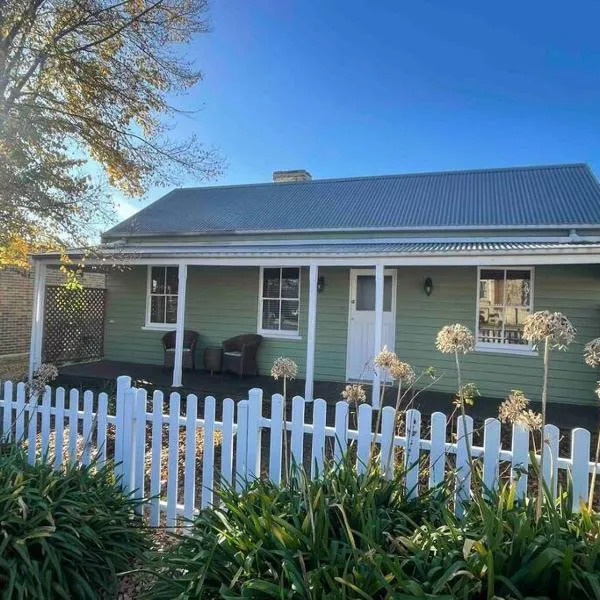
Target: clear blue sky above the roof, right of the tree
<point>364,88</point>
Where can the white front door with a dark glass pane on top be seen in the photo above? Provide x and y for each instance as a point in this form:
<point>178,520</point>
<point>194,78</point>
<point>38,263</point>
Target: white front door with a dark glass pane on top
<point>361,321</point>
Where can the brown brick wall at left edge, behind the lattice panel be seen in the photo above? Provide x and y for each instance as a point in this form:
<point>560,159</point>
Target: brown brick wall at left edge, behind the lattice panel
<point>16,299</point>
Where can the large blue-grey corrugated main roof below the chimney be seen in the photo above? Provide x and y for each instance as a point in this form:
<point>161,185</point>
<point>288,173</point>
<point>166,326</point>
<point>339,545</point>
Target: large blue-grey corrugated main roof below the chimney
<point>555,195</point>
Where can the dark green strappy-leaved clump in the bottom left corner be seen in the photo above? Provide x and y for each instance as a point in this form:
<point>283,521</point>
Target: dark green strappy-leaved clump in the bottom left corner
<point>63,534</point>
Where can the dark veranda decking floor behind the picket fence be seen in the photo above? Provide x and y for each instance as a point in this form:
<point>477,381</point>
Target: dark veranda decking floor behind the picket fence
<point>101,376</point>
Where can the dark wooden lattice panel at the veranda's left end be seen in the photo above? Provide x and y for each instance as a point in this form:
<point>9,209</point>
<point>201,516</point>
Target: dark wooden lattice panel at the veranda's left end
<point>73,324</point>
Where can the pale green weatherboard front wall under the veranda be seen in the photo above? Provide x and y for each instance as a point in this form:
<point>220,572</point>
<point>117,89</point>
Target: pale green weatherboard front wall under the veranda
<point>223,302</point>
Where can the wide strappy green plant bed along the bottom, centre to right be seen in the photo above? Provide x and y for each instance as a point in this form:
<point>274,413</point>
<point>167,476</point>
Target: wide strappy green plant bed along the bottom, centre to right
<point>350,536</point>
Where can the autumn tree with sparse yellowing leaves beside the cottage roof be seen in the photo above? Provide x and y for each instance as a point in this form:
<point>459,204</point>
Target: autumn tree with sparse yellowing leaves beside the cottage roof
<point>86,84</point>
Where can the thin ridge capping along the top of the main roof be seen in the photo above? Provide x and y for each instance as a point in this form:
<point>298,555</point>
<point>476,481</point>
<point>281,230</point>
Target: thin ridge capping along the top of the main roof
<point>390,176</point>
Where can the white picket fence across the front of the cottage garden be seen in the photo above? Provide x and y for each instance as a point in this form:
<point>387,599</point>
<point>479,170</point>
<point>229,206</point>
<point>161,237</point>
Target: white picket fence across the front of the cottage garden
<point>134,438</point>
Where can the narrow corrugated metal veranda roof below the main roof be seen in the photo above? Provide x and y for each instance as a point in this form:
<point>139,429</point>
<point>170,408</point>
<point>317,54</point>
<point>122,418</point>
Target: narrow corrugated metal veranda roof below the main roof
<point>353,249</point>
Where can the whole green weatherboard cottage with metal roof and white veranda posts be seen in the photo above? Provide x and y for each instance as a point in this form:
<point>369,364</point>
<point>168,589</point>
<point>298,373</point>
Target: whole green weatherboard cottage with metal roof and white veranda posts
<point>328,271</point>
